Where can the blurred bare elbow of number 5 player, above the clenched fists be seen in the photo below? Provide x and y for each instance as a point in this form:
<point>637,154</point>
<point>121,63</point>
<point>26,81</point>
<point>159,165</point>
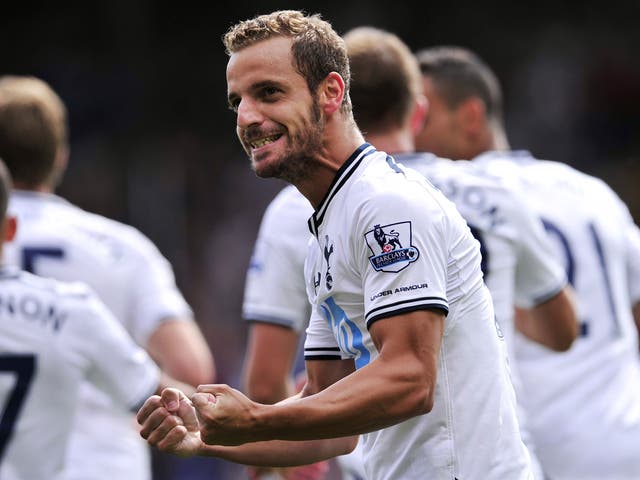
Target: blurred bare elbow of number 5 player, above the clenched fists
<point>181,351</point>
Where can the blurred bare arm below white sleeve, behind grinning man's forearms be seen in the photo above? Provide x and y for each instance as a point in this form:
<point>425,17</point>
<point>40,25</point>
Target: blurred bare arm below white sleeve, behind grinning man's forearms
<point>270,354</point>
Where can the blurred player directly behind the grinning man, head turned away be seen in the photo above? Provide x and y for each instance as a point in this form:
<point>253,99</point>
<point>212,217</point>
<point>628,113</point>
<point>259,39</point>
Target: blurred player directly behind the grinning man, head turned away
<point>389,108</point>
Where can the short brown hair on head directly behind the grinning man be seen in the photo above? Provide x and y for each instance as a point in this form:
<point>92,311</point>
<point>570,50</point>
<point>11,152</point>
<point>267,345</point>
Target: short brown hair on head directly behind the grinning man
<point>385,78</point>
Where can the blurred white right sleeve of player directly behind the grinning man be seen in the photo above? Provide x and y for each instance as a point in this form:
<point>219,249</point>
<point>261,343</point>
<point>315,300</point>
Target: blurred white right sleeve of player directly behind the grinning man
<point>539,275</point>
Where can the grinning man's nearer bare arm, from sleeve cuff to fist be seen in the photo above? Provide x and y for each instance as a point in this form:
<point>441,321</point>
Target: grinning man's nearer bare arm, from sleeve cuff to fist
<point>397,385</point>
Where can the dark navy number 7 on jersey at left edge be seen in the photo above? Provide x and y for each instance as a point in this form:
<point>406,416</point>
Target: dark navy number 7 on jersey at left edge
<point>23,366</point>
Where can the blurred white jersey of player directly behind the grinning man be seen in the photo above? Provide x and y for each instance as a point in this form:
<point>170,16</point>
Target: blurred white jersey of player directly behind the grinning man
<point>517,267</point>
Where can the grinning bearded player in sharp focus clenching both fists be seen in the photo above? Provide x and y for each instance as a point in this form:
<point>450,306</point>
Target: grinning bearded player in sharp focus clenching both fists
<point>402,345</point>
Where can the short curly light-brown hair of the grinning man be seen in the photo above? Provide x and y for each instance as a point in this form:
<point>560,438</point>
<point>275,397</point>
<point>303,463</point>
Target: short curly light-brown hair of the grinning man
<point>317,49</point>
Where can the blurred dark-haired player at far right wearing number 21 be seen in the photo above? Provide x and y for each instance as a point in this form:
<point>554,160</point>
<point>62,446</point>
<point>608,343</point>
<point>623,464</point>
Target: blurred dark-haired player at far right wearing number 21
<point>584,404</point>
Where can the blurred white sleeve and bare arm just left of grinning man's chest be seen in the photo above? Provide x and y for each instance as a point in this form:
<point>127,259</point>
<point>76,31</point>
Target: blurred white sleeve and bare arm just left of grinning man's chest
<point>277,305</point>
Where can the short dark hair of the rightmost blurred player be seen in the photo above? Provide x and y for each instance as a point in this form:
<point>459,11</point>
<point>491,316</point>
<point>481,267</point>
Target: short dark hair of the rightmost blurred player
<point>458,74</point>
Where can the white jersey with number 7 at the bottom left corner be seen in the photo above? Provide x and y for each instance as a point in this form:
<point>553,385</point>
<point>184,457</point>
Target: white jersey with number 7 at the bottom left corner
<point>53,337</point>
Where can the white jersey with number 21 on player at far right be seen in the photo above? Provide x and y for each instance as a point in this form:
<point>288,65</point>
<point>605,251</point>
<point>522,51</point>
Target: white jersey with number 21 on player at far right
<point>584,404</point>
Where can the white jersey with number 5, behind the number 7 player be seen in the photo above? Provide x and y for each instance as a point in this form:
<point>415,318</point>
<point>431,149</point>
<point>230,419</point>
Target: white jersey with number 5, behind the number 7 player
<point>59,240</point>
